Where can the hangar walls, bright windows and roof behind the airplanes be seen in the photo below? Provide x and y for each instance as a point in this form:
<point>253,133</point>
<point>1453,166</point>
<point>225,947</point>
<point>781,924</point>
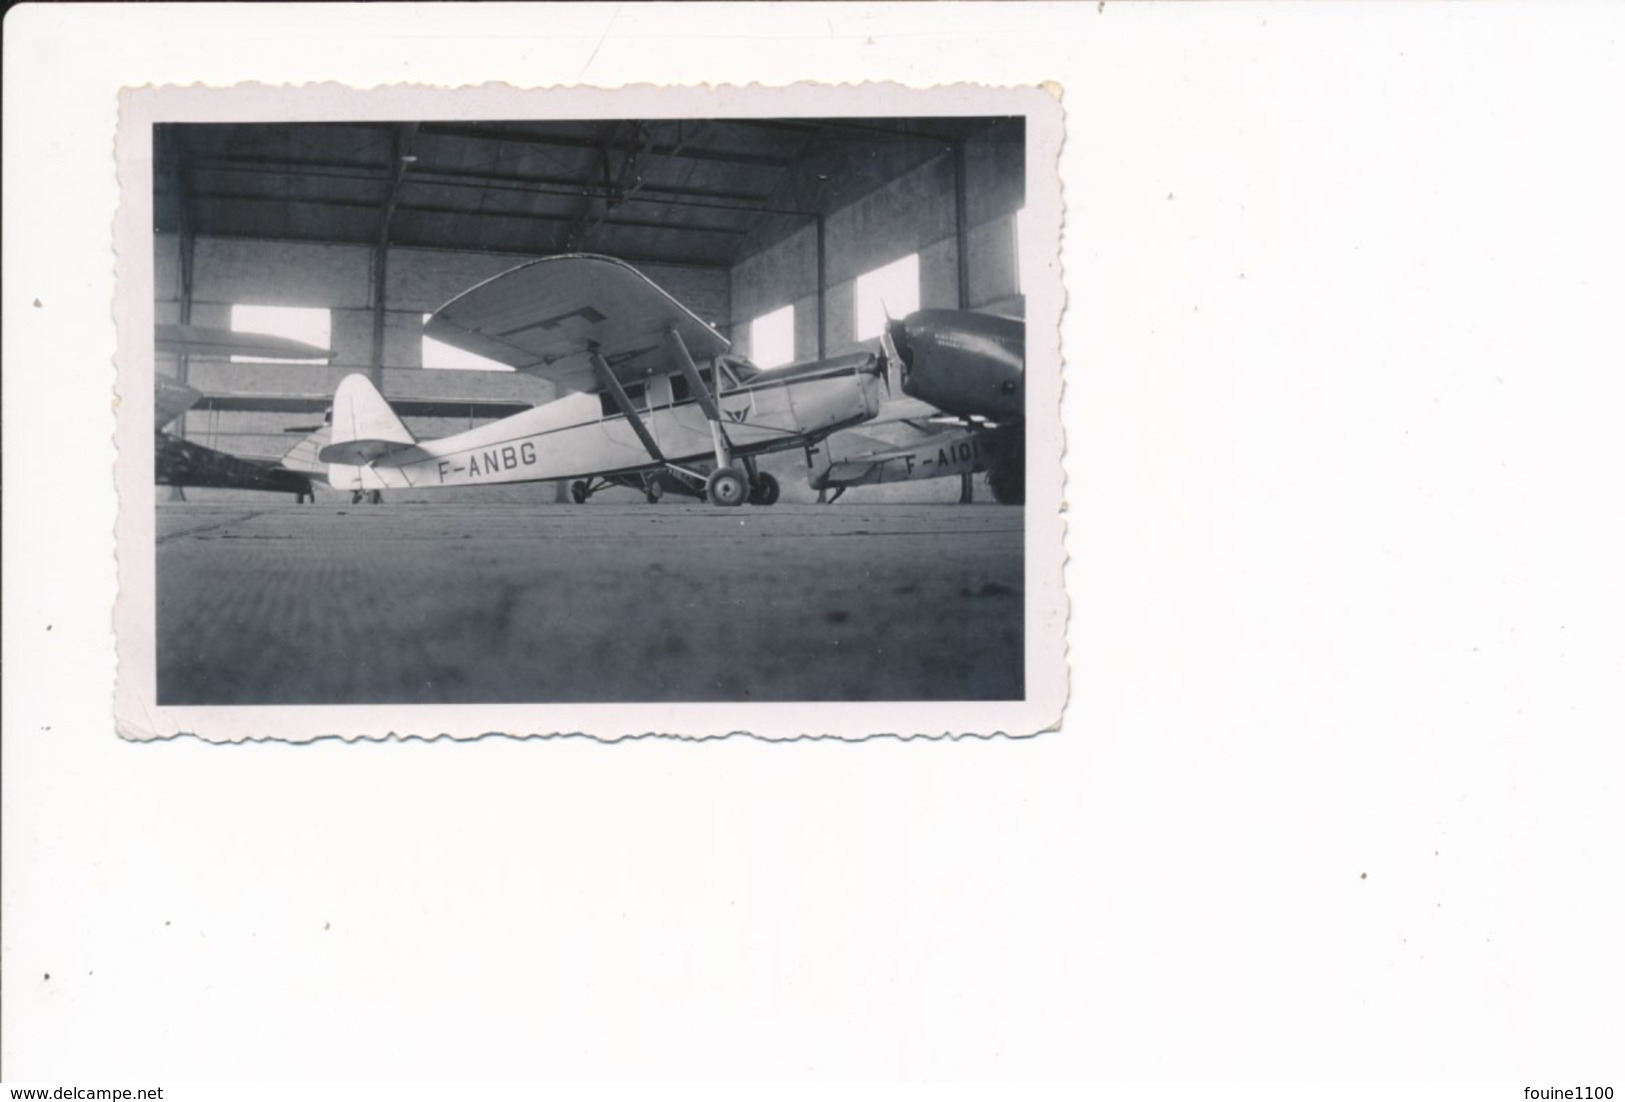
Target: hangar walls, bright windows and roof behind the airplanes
<point>787,235</point>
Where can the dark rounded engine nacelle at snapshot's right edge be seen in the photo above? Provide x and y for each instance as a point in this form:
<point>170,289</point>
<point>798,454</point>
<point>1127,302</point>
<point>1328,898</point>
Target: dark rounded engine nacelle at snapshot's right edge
<point>966,365</point>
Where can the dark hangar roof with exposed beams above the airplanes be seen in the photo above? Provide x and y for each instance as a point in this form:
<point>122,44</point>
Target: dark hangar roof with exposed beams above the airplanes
<point>701,193</point>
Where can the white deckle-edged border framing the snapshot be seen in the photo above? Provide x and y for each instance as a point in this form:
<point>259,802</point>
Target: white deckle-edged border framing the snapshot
<point>1046,614</point>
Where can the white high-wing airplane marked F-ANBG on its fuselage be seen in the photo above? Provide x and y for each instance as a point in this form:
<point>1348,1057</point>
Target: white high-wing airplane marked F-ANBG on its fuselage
<point>652,399</point>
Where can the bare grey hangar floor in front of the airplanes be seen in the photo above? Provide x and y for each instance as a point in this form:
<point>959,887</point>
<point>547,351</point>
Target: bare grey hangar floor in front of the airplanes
<point>431,604</point>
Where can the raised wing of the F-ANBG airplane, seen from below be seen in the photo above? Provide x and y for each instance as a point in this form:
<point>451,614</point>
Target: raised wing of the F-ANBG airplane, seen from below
<point>547,316</point>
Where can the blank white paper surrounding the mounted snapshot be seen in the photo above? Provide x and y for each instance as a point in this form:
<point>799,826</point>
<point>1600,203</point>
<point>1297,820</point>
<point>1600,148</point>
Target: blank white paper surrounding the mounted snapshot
<point>1338,796</point>
